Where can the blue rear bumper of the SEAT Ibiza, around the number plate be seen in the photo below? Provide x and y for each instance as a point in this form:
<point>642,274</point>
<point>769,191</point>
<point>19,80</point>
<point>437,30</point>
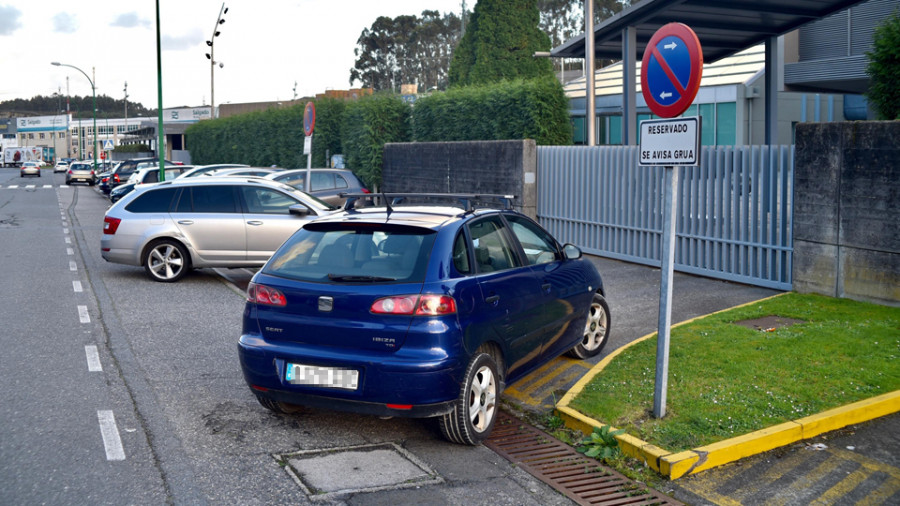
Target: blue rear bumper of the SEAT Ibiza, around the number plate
<point>388,385</point>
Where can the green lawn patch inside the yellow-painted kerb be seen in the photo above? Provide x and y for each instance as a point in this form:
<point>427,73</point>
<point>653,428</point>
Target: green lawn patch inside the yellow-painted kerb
<point>726,380</point>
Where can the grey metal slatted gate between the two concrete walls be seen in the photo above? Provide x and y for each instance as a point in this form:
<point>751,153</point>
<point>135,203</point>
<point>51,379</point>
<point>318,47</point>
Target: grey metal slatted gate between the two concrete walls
<point>733,222</point>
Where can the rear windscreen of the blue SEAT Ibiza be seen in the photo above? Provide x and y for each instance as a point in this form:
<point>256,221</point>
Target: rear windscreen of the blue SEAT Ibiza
<point>354,254</point>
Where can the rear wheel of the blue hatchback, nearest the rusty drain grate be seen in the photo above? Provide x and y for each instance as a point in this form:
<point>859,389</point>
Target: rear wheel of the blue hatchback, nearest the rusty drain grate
<point>475,410</point>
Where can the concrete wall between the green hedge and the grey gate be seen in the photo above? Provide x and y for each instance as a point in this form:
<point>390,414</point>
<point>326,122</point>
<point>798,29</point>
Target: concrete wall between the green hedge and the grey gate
<point>495,167</point>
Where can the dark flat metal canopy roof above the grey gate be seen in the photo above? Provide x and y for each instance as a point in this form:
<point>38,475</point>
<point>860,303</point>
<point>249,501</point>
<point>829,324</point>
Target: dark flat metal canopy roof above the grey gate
<point>724,27</point>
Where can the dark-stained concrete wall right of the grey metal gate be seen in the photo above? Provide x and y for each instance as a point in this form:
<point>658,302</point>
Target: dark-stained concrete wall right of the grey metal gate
<point>847,210</point>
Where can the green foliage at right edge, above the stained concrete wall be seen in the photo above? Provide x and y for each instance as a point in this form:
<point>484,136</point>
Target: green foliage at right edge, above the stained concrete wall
<point>884,68</point>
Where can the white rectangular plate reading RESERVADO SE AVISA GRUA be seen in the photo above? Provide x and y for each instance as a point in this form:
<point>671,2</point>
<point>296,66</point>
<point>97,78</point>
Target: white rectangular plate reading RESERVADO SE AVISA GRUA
<point>670,141</point>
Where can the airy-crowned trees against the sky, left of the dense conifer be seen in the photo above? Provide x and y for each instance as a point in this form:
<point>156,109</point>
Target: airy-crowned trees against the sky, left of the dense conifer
<point>406,50</point>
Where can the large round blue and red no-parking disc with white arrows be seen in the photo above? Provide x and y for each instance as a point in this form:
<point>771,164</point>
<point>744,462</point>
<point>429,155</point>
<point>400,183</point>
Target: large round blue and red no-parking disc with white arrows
<point>671,70</point>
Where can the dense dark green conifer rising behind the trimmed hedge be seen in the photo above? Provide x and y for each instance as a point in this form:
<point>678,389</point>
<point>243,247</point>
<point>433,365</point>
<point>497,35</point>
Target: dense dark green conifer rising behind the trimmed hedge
<point>499,44</point>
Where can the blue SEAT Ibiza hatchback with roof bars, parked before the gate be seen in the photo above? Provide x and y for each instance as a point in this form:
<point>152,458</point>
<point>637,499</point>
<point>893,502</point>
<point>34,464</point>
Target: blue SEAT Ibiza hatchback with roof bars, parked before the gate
<point>417,311</point>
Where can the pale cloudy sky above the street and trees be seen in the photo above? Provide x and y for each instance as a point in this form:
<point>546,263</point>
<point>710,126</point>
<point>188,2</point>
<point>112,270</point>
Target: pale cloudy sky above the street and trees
<point>265,45</point>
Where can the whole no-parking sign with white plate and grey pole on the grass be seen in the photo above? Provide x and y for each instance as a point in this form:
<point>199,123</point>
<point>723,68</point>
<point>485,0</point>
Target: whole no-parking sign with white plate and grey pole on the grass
<point>670,78</point>
